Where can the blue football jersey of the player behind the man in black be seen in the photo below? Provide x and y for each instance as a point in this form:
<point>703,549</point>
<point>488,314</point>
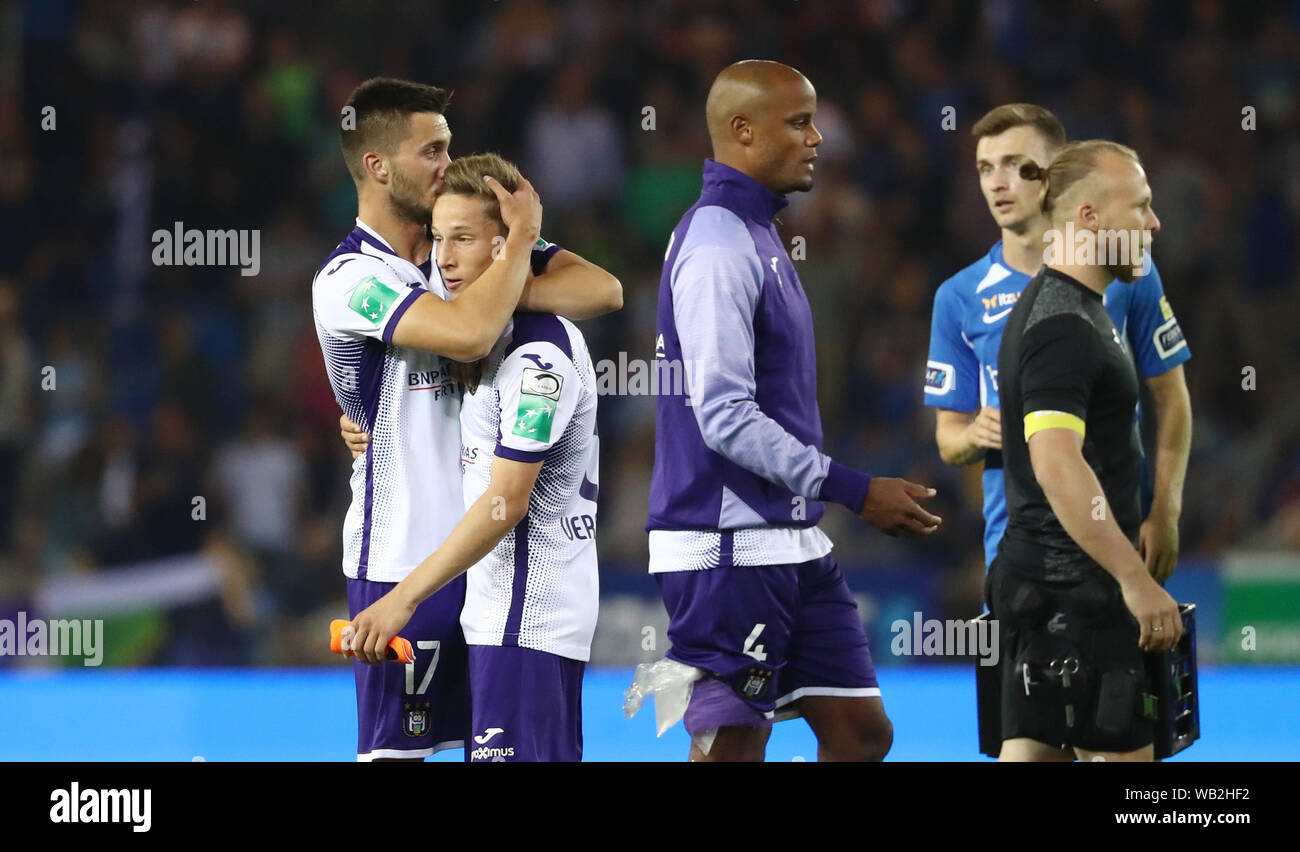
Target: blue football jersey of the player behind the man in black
<point>967,334</point>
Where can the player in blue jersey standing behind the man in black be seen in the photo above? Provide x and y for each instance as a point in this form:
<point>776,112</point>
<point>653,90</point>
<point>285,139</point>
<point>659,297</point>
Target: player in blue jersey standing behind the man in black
<point>970,313</point>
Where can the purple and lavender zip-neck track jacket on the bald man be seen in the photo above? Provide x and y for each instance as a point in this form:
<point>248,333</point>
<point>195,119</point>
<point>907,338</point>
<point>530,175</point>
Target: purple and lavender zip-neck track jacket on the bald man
<point>739,472</point>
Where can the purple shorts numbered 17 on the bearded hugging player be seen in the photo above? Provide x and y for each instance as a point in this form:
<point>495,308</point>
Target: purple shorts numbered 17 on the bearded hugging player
<point>414,711</point>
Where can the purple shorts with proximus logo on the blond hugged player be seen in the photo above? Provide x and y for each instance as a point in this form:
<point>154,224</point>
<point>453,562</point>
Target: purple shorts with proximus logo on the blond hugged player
<point>527,706</point>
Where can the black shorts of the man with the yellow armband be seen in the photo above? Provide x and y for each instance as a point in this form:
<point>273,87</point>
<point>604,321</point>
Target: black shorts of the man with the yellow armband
<point>1073,674</point>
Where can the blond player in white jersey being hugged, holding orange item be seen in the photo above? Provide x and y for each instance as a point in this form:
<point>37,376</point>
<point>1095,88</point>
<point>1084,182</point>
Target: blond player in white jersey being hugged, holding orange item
<point>527,539</point>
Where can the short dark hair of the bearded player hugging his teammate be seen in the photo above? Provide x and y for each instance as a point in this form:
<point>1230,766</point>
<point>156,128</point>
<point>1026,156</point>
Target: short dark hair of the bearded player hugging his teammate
<point>382,109</point>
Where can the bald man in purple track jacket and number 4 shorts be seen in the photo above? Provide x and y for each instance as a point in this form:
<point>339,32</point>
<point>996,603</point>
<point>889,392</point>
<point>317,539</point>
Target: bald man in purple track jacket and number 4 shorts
<point>761,619</point>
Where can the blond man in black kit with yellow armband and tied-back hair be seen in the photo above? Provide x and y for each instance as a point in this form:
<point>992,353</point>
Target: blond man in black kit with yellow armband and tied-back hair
<point>1069,589</point>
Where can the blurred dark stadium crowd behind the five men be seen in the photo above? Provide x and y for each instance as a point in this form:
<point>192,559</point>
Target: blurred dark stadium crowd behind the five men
<point>174,383</point>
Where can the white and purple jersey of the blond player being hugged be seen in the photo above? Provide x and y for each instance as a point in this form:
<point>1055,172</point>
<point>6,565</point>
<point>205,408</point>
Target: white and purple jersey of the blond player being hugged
<point>536,403</point>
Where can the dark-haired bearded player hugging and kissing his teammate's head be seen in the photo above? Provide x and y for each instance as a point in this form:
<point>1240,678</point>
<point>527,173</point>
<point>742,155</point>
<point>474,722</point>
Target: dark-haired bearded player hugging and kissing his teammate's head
<point>389,336</point>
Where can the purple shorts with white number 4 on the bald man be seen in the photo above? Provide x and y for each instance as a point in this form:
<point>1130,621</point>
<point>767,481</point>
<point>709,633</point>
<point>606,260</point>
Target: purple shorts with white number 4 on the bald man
<point>770,635</point>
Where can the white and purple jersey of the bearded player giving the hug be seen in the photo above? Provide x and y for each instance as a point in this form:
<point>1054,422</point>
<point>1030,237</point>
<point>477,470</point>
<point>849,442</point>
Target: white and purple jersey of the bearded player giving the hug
<point>406,490</point>
